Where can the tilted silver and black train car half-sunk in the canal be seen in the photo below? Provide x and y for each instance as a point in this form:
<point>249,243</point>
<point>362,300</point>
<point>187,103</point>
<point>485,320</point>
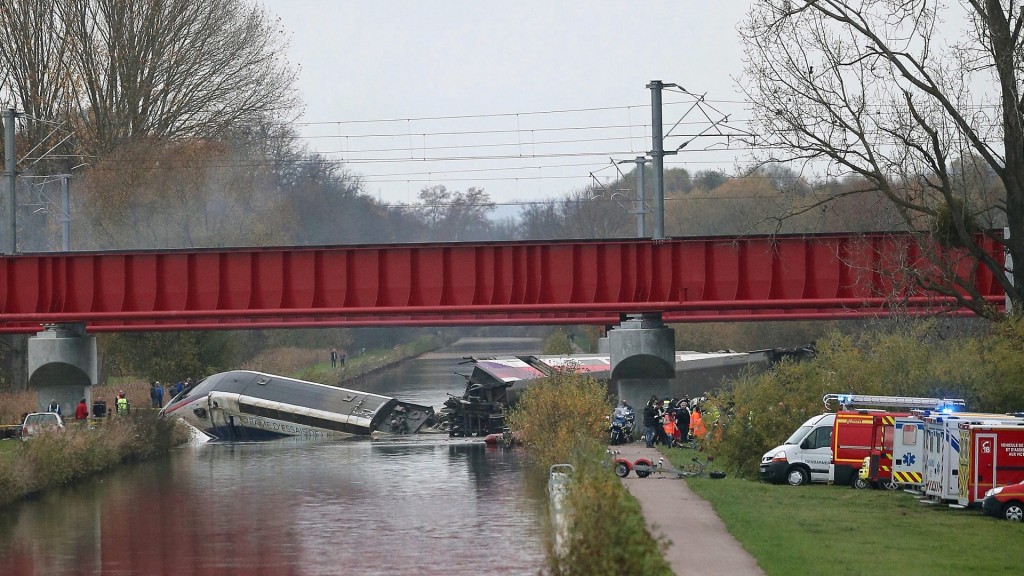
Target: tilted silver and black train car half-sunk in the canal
<point>244,406</point>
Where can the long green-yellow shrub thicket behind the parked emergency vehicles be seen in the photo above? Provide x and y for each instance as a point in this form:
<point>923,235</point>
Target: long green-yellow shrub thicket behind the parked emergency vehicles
<point>758,412</point>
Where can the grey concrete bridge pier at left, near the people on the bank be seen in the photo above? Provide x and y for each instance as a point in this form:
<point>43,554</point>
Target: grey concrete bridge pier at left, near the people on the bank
<point>63,366</point>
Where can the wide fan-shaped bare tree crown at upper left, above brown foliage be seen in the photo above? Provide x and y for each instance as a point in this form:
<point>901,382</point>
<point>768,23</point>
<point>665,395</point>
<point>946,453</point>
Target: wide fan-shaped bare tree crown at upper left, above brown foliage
<point>176,68</point>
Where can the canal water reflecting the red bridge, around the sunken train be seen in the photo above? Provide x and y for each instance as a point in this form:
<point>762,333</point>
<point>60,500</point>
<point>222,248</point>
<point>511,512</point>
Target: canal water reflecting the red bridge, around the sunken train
<point>424,505</point>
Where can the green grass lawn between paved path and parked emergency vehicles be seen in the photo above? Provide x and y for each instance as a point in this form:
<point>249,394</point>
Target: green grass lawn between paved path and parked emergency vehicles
<point>823,529</point>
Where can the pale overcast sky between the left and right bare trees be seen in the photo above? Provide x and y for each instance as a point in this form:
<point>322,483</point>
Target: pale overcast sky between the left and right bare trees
<point>501,96</point>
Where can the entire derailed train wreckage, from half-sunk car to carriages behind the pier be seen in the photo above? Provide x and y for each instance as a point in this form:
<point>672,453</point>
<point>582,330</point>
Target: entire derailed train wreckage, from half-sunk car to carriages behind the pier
<point>251,406</point>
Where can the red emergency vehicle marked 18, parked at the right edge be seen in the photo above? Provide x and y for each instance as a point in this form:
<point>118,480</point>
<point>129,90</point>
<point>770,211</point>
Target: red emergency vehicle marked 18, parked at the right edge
<point>990,457</point>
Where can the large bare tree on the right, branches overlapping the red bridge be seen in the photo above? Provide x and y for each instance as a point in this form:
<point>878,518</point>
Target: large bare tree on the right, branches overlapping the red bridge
<point>892,93</point>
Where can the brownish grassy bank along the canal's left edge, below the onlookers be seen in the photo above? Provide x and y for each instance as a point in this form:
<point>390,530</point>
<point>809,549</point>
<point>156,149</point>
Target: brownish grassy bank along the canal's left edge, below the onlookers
<point>60,458</point>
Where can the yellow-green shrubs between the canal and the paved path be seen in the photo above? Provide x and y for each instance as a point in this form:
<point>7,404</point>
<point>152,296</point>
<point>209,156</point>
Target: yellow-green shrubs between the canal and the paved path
<point>562,420</point>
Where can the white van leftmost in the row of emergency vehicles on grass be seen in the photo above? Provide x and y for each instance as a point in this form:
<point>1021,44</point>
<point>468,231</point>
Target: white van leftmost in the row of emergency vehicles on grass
<point>804,458</point>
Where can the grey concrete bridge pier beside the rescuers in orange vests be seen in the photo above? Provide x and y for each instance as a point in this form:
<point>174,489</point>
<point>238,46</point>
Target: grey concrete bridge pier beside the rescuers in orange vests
<point>644,357</point>
